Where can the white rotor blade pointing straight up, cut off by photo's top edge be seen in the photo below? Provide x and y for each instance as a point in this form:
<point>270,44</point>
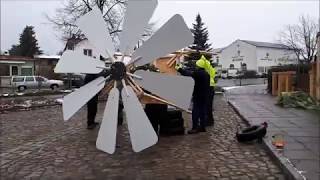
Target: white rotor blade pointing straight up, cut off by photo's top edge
<point>136,19</point>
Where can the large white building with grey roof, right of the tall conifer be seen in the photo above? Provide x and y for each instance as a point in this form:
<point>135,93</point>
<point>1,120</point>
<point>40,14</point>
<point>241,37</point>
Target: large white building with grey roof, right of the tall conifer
<point>252,55</point>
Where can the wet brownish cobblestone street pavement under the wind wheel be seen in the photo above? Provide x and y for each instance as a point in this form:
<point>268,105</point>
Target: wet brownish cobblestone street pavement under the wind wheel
<point>37,144</point>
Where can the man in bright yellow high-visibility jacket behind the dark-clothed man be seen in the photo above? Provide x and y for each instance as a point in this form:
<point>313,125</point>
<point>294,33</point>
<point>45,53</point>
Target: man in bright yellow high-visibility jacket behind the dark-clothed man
<point>212,72</point>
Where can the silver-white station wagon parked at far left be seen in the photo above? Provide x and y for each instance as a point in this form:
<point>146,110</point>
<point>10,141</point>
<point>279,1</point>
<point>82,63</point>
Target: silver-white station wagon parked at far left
<point>29,82</point>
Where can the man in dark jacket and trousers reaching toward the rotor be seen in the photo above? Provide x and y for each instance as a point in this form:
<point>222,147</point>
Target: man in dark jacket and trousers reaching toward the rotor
<point>199,96</point>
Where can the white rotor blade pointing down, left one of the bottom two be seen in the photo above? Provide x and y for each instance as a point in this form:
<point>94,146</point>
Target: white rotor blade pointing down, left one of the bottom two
<point>106,140</point>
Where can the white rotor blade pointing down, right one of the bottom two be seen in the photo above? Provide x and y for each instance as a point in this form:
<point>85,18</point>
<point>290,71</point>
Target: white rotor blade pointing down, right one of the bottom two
<point>142,134</point>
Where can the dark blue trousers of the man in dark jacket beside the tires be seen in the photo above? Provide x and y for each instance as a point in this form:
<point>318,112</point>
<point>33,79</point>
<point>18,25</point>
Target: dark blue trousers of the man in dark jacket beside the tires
<point>199,114</point>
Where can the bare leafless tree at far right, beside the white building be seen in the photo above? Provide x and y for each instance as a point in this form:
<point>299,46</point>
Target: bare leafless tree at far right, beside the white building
<point>301,38</point>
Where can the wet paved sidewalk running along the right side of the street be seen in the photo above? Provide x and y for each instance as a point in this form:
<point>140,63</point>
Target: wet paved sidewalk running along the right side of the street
<point>300,128</point>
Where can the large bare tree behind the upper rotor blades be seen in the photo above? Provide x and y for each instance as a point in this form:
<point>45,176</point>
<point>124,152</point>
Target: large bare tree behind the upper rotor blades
<point>112,10</point>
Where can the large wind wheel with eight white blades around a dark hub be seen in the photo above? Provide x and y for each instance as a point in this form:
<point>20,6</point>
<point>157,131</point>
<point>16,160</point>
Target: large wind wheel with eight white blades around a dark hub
<point>173,35</point>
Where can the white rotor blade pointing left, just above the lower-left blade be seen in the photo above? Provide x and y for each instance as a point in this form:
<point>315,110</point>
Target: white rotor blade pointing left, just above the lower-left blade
<point>76,62</point>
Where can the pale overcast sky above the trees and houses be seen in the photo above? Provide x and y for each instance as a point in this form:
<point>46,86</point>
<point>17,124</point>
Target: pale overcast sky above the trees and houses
<point>226,21</point>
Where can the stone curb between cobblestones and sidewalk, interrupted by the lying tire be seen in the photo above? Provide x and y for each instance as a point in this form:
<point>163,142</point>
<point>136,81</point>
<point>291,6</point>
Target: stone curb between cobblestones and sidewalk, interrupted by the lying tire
<point>291,173</point>
